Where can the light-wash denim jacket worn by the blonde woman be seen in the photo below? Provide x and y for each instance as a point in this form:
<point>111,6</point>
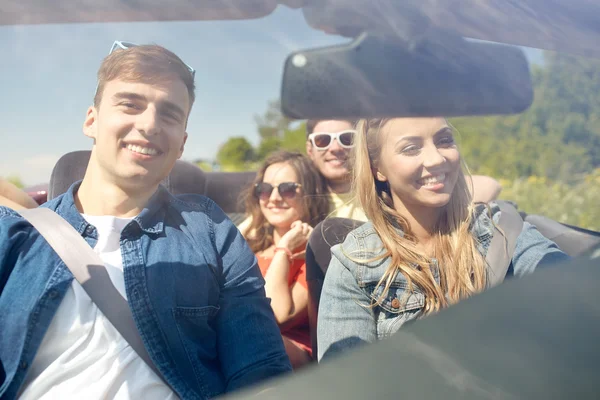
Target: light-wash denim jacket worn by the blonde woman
<point>345,317</point>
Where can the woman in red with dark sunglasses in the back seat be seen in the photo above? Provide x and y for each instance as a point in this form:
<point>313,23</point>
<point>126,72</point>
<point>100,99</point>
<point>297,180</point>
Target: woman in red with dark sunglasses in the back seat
<point>287,199</point>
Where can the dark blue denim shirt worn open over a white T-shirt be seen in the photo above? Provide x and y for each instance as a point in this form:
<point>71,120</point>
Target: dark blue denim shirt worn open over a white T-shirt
<point>193,286</point>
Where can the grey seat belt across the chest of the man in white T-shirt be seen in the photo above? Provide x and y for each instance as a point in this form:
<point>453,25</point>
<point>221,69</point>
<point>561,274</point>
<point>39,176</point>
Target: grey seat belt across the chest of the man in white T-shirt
<point>89,270</point>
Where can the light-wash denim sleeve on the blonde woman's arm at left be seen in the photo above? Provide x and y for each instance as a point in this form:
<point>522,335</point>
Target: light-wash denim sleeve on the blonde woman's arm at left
<point>345,319</point>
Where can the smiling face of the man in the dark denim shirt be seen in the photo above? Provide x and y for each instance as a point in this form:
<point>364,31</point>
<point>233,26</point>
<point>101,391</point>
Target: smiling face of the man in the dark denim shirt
<point>138,131</point>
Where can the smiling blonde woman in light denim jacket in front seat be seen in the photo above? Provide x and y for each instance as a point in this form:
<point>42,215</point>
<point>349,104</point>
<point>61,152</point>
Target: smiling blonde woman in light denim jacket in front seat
<point>424,246</point>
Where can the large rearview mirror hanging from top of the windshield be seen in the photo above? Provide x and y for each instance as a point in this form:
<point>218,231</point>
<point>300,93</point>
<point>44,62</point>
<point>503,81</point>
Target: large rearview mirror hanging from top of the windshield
<point>376,76</point>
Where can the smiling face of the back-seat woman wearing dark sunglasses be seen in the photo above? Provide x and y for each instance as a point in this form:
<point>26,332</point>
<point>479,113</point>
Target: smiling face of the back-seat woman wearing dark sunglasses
<point>281,211</point>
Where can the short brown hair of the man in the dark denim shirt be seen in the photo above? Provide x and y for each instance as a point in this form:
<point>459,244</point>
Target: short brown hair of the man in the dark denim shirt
<point>147,64</point>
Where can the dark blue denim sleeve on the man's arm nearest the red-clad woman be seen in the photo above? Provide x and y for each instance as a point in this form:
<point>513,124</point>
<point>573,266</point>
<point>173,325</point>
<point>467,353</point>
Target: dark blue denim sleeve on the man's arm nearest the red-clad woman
<point>249,342</point>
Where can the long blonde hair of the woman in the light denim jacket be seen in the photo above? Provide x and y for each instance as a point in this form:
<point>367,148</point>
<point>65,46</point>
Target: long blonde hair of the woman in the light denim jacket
<point>462,269</point>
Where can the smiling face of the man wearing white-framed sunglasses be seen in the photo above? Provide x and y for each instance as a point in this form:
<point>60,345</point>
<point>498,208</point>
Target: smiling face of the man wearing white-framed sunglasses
<point>332,162</point>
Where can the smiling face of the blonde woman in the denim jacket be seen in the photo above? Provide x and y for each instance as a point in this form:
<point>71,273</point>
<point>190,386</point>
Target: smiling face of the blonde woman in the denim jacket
<point>419,160</point>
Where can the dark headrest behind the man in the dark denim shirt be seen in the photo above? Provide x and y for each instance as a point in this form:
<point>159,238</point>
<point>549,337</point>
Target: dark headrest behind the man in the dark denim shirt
<point>184,178</point>
